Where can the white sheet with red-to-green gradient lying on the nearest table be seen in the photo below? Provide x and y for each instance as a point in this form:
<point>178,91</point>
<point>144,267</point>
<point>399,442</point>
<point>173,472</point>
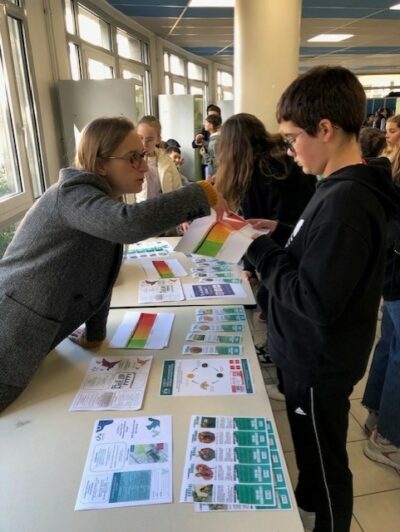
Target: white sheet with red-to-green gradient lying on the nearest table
<point>143,330</point>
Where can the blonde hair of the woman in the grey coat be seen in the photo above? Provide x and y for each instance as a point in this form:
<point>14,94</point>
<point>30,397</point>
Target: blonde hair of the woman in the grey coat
<point>100,138</point>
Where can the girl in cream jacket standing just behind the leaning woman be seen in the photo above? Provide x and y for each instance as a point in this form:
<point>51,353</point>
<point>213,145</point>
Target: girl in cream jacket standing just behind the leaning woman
<point>162,175</point>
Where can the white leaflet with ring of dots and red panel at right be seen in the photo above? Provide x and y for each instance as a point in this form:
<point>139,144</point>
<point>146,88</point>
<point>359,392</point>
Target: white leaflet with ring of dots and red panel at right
<point>200,377</point>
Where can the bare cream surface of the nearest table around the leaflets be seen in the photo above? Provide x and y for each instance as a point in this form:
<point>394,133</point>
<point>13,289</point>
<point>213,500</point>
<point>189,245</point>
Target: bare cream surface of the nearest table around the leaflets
<point>43,446</point>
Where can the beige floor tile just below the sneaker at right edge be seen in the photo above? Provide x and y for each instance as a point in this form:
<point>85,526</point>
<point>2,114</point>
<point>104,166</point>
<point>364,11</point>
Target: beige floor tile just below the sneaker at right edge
<point>368,476</point>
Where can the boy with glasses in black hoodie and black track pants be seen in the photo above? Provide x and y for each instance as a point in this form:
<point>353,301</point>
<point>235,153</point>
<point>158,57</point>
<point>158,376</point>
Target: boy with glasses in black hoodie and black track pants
<point>325,284</point>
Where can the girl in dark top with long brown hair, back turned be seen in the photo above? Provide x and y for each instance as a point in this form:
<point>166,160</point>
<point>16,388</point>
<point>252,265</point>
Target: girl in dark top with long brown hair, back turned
<point>260,181</point>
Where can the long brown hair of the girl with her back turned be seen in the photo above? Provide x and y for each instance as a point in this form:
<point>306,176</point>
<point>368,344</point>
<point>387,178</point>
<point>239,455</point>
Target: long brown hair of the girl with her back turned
<point>245,145</point>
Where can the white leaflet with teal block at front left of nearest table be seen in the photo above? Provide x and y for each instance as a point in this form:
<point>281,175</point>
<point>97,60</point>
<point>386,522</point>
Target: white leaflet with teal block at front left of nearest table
<point>129,463</point>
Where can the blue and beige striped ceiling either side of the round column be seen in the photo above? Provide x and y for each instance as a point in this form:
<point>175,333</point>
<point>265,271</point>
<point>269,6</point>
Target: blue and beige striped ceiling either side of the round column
<point>208,32</point>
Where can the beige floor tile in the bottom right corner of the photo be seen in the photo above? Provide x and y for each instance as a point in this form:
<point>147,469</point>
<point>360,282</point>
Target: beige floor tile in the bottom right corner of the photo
<point>379,512</point>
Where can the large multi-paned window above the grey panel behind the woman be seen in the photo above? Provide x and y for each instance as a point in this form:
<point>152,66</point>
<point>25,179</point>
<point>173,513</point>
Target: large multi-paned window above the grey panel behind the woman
<point>100,48</point>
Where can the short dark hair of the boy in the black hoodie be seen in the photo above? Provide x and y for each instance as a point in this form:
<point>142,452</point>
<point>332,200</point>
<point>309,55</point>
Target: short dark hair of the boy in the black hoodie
<point>328,92</point>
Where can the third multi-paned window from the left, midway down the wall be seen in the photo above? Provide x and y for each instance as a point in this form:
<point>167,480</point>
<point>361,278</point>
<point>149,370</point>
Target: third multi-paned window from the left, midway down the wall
<point>184,77</point>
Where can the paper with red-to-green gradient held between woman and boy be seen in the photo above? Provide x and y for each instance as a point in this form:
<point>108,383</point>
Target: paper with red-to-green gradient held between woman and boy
<point>227,239</point>
